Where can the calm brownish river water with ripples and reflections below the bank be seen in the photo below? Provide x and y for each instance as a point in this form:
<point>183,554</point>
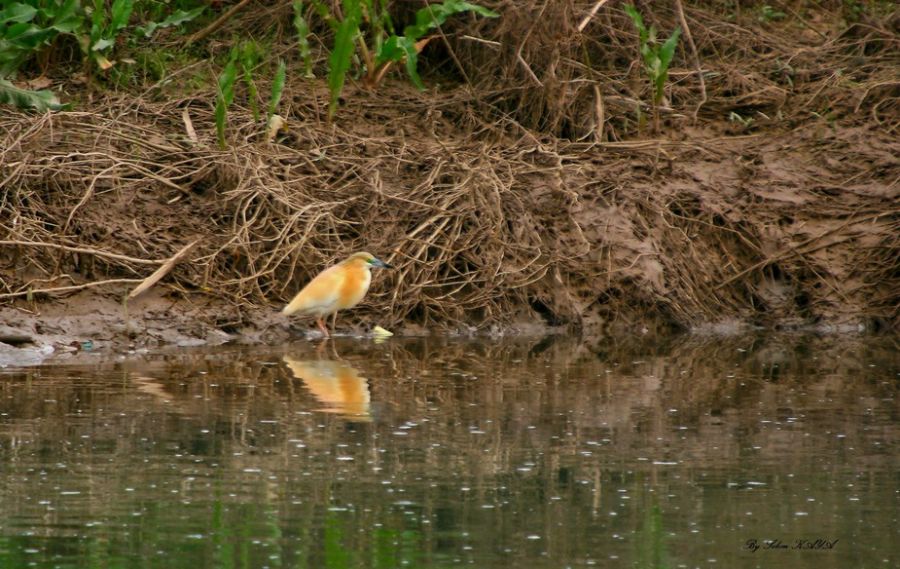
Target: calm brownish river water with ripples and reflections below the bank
<point>752,451</point>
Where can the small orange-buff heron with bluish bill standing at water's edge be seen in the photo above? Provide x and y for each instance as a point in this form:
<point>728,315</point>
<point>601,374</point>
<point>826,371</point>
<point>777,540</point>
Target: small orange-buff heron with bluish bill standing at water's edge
<point>338,287</point>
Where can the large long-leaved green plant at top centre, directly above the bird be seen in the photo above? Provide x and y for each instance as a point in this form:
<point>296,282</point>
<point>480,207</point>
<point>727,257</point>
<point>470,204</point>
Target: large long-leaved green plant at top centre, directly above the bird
<point>383,48</point>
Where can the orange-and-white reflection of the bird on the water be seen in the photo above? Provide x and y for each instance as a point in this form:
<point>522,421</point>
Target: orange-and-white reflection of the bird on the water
<point>336,384</point>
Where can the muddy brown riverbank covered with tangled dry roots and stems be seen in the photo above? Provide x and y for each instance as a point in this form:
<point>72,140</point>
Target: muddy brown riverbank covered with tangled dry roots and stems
<point>532,196</point>
